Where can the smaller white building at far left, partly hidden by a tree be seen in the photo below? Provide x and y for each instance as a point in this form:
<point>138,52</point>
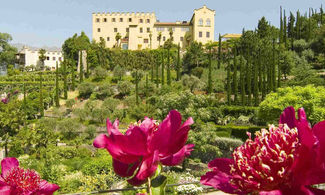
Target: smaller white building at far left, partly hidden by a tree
<point>27,57</point>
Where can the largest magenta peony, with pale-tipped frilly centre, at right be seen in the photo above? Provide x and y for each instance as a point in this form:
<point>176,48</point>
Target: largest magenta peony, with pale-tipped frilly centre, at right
<point>284,160</point>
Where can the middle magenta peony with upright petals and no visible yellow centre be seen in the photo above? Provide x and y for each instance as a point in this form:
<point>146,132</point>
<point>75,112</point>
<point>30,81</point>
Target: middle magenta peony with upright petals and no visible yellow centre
<point>137,153</point>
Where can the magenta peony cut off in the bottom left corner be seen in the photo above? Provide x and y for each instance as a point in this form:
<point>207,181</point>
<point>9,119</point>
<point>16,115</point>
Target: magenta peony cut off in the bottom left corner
<point>18,181</point>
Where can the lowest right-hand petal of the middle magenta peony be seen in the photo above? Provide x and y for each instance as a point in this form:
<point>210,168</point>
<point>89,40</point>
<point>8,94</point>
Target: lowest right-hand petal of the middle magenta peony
<point>177,158</point>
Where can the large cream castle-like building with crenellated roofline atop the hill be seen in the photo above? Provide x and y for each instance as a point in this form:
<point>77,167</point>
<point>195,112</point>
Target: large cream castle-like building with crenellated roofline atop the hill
<point>137,28</point>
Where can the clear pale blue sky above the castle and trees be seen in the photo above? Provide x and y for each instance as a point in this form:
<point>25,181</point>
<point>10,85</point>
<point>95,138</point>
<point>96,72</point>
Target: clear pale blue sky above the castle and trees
<point>49,23</point>
